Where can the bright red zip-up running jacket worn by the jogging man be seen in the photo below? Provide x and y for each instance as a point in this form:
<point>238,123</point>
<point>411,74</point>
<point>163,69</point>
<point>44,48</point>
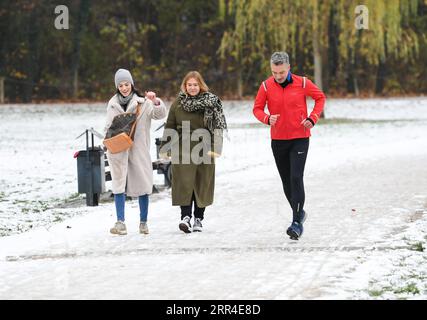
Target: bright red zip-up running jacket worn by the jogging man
<point>290,103</point>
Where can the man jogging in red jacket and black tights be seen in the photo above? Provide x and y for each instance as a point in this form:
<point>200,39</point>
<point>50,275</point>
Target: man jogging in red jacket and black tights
<point>285,96</point>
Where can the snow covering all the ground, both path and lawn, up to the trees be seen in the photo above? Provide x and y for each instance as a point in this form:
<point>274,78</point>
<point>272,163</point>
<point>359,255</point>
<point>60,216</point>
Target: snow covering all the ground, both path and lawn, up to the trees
<point>364,237</point>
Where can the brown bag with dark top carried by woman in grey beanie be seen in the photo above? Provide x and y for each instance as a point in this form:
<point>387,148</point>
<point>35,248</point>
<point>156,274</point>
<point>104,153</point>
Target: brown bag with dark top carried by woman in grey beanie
<point>121,133</point>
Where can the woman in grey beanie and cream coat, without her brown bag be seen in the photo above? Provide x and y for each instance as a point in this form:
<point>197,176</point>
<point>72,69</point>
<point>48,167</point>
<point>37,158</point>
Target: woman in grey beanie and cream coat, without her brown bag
<point>132,170</point>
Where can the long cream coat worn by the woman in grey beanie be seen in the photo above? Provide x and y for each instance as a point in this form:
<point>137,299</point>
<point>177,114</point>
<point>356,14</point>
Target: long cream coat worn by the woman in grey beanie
<point>132,170</point>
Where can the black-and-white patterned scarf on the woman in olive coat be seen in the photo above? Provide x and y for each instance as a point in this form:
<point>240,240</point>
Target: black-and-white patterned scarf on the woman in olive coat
<point>206,103</point>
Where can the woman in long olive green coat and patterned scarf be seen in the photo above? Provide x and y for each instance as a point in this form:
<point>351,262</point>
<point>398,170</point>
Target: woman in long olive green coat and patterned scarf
<point>195,114</point>
